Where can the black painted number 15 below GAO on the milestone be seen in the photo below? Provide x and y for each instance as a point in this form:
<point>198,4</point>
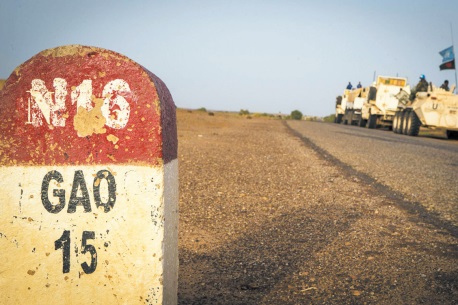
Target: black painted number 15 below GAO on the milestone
<point>64,243</point>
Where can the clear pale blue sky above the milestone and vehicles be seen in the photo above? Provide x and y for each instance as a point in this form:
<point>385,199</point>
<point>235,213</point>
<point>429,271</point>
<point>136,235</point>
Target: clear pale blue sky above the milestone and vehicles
<point>261,56</point>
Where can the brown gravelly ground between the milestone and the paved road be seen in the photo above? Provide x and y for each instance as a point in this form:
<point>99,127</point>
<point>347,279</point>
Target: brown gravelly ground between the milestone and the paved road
<point>266,219</point>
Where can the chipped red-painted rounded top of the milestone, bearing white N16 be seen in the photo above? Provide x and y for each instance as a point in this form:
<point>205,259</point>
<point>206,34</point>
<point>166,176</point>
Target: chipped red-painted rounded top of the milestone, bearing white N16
<point>71,77</point>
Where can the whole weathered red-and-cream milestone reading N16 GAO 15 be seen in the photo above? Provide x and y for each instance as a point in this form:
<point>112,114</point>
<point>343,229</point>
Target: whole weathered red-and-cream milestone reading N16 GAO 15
<point>88,182</point>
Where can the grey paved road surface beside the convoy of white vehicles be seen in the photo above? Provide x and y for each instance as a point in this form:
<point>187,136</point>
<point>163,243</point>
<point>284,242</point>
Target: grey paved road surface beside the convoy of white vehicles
<point>421,172</point>
